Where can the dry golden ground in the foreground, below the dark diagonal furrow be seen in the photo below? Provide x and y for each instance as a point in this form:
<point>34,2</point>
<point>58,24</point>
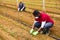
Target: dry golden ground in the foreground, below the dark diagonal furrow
<point>17,31</point>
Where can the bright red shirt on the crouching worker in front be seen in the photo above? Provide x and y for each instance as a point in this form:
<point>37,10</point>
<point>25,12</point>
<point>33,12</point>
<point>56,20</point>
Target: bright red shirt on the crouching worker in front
<point>44,17</point>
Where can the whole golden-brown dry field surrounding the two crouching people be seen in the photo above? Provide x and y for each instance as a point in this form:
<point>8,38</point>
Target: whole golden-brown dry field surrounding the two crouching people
<point>15,25</point>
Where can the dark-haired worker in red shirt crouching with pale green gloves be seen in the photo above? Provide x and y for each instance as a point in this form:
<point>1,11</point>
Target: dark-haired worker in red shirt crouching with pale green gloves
<point>42,21</point>
